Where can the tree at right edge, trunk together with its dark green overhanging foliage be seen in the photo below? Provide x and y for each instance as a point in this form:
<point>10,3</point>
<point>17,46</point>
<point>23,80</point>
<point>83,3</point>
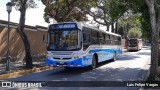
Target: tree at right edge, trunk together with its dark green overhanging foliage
<point>150,7</point>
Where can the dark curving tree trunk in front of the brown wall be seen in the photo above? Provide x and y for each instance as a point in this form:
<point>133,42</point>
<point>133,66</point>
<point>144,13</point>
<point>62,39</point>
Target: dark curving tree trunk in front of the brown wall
<point>28,58</point>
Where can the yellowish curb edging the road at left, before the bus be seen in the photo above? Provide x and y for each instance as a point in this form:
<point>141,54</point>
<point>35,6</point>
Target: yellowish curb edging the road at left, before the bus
<point>23,72</point>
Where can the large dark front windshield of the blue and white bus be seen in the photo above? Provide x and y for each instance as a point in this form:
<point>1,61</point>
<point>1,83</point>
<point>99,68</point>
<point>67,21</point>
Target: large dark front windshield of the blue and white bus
<point>63,40</point>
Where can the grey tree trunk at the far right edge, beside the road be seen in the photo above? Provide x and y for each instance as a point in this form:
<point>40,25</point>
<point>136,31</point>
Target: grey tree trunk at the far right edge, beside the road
<point>154,39</point>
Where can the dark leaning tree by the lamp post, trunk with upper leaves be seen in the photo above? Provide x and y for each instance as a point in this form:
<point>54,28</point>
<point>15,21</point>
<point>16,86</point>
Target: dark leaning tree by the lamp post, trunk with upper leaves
<point>22,5</point>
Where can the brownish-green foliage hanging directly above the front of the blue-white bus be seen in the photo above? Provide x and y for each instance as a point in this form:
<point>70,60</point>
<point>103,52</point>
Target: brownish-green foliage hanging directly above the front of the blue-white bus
<point>66,10</point>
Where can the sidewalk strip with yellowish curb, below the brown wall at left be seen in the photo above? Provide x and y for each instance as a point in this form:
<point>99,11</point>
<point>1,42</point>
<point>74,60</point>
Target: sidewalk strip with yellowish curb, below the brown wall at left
<point>18,69</point>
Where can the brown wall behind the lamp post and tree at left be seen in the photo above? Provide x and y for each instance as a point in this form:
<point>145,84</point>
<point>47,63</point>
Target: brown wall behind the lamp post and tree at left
<point>35,36</point>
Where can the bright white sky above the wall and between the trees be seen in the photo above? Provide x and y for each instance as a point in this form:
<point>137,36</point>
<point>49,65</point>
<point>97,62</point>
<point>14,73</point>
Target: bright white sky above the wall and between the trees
<point>33,16</point>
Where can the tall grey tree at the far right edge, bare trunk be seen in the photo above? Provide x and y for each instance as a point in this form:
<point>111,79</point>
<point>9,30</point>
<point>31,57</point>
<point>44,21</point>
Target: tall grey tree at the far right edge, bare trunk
<point>154,12</point>
